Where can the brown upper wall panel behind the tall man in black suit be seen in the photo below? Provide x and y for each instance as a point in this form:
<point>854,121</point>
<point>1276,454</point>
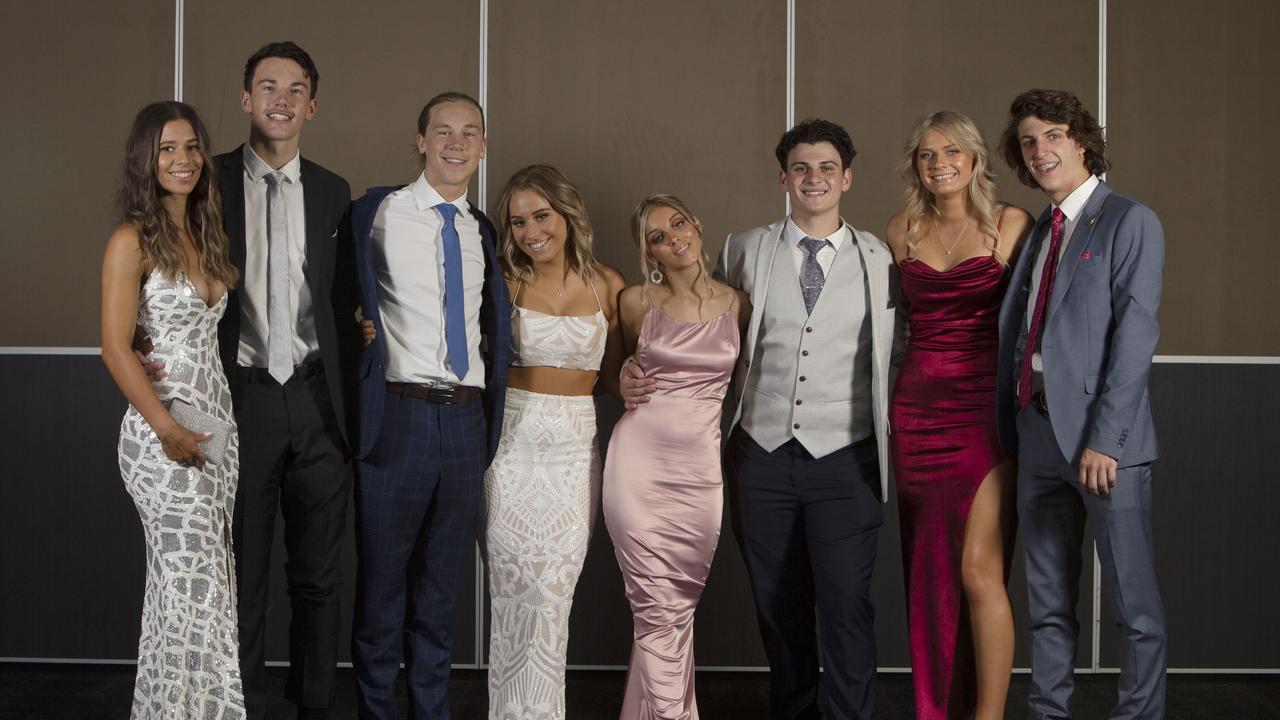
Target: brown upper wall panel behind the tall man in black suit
<point>376,75</point>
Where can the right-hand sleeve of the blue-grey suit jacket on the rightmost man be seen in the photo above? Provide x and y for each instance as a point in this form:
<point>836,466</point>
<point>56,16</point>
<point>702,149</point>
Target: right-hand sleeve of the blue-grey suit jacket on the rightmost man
<point>1137,279</point>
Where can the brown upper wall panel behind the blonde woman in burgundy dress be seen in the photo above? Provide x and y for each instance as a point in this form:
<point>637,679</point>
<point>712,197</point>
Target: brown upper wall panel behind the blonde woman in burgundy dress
<point>877,69</point>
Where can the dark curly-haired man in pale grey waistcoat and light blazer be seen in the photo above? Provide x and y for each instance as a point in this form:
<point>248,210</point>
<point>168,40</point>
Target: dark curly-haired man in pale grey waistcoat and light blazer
<point>807,462</point>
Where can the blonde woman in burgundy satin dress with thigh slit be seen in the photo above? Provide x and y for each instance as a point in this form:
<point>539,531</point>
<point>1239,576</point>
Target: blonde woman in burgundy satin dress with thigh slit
<point>954,245</point>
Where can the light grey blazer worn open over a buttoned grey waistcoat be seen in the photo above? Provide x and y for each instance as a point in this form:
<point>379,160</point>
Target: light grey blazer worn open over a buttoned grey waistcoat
<point>747,263</point>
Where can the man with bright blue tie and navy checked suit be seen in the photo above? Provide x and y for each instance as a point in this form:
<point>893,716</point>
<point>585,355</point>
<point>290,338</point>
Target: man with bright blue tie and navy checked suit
<point>432,388</point>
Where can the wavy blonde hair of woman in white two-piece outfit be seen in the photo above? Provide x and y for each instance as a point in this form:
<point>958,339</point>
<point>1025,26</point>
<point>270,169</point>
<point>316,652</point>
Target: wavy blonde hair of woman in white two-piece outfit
<point>568,202</point>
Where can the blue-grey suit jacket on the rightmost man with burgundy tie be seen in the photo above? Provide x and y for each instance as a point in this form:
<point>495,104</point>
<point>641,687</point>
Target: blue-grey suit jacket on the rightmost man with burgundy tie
<point>1100,332</point>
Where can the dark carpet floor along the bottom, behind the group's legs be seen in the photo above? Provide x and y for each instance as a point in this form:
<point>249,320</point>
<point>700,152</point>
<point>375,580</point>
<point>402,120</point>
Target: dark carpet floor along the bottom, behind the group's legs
<point>103,692</point>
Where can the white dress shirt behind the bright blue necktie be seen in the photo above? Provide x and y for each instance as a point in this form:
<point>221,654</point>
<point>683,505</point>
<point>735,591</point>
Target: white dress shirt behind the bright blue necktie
<point>409,262</point>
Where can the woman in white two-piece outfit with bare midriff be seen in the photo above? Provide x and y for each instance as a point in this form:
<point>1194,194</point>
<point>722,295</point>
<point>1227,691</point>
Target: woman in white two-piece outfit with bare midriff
<point>543,487</point>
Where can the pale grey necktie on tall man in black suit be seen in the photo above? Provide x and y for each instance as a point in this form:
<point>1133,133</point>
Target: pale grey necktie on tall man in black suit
<point>280,312</point>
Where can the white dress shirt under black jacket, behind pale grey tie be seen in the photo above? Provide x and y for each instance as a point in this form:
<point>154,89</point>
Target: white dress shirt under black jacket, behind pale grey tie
<point>254,325</point>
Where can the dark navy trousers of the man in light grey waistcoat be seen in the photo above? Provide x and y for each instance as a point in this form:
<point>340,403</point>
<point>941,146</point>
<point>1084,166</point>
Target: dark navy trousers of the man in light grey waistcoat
<point>808,531</point>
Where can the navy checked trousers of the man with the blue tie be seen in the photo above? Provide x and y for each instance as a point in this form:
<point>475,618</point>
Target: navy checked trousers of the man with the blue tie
<point>418,496</point>
